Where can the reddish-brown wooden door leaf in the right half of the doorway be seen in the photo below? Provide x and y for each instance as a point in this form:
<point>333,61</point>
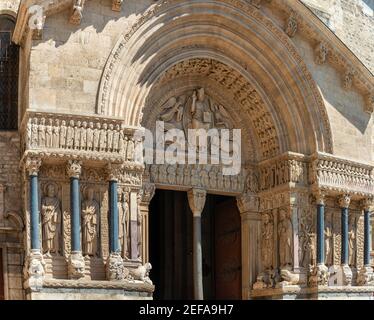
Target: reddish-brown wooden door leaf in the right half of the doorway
<point>227,250</point>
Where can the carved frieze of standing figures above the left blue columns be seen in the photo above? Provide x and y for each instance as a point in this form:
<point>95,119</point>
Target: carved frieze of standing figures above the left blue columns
<point>96,138</point>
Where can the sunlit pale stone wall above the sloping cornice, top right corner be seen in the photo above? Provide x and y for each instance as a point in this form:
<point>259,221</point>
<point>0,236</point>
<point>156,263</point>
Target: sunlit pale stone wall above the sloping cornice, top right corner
<point>352,21</point>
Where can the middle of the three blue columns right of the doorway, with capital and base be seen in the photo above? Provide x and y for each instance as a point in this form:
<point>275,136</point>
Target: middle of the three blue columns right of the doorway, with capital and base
<point>346,273</point>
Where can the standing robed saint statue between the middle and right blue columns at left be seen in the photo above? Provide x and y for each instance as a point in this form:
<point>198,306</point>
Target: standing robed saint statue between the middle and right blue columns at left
<point>90,211</point>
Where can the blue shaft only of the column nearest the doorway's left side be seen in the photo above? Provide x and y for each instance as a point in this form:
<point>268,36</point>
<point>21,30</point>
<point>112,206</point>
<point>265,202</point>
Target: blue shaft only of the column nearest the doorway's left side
<point>114,219</point>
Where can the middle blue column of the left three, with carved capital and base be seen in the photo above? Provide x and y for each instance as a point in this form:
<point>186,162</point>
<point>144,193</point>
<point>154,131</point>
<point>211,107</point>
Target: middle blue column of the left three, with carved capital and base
<point>76,260</point>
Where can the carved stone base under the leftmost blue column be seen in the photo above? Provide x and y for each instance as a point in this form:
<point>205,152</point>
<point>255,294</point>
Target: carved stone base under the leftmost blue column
<point>34,270</point>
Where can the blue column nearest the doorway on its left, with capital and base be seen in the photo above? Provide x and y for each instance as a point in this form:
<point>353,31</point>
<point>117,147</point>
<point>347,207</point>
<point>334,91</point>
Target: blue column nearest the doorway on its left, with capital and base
<point>115,269</point>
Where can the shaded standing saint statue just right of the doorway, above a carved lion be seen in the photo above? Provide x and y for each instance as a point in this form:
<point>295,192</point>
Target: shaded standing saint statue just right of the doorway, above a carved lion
<point>285,240</point>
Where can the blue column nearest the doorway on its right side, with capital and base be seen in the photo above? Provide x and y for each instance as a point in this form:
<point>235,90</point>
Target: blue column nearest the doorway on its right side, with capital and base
<point>320,275</point>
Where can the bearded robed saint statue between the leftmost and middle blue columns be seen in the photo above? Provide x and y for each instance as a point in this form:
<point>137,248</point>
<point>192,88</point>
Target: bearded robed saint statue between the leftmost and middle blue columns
<point>51,221</point>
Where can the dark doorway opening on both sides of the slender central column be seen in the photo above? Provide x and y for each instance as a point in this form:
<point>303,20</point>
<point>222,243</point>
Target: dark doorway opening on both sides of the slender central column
<point>170,247</point>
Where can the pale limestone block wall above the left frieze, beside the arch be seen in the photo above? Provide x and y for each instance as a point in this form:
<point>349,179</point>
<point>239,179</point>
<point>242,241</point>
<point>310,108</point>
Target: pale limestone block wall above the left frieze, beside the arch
<point>67,64</point>
